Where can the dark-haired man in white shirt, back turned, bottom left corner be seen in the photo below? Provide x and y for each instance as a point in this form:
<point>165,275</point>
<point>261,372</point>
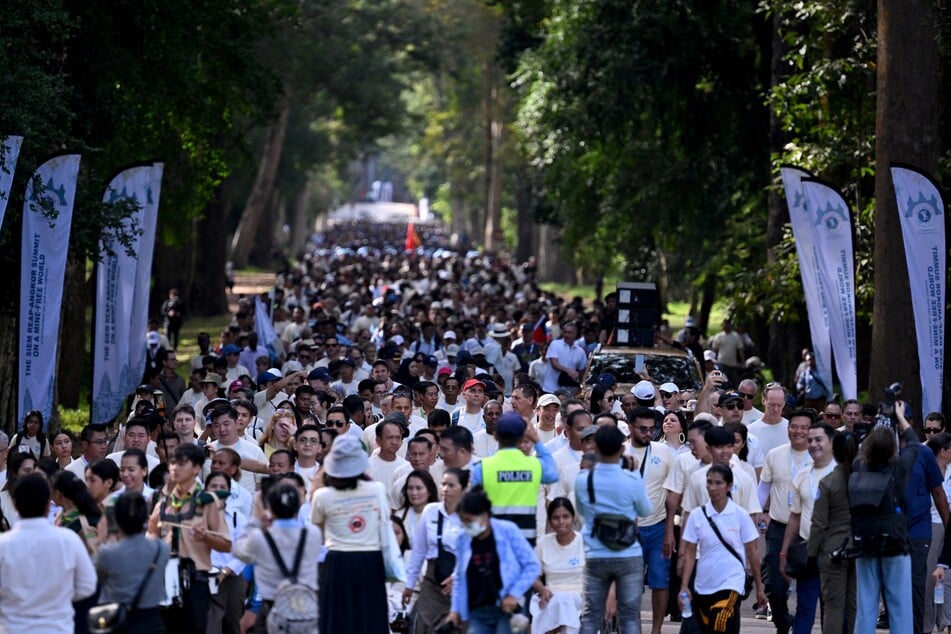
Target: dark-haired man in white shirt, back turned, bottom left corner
<point>30,600</point>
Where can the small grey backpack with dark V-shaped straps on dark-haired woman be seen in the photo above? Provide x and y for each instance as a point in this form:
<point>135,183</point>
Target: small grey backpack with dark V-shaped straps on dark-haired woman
<point>295,605</point>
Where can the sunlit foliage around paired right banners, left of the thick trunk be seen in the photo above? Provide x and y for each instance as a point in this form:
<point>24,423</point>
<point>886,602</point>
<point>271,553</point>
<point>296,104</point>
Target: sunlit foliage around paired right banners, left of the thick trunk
<point>824,103</point>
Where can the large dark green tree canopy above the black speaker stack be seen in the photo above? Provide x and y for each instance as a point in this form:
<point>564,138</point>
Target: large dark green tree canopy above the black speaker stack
<point>646,123</point>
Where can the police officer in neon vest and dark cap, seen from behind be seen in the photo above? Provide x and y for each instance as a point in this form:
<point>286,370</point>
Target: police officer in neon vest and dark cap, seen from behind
<point>512,479</point>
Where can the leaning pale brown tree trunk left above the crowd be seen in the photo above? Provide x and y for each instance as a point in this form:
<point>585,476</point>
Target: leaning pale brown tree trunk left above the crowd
<point>243,241</point>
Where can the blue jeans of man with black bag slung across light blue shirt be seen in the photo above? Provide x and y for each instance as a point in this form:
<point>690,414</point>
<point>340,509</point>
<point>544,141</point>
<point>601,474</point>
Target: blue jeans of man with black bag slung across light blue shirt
<point>628,574</point>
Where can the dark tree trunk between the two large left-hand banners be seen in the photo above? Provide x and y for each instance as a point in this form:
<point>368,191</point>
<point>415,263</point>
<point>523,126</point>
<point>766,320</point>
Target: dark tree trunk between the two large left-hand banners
<point>72,365</point>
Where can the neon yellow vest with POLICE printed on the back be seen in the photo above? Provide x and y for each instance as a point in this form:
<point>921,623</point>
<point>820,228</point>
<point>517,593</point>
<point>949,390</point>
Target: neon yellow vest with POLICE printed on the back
<point>512,481</point>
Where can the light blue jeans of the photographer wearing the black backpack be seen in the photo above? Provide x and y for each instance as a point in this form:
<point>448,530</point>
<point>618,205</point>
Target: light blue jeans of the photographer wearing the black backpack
<point>893,574</point>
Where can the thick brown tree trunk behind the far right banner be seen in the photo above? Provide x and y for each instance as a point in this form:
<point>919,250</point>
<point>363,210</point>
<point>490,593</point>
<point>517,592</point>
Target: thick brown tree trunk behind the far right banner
<point>906,130</point>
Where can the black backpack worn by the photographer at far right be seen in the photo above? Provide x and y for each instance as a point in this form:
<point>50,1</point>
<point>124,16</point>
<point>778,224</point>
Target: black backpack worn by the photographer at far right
<point>877,504</point>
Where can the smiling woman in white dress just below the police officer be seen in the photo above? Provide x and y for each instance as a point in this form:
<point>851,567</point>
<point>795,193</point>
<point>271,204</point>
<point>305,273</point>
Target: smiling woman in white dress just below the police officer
<point>556,604</point>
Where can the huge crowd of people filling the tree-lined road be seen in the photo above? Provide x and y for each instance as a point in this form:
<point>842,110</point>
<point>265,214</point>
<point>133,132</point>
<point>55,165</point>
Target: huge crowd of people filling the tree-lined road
<point>421,450</point>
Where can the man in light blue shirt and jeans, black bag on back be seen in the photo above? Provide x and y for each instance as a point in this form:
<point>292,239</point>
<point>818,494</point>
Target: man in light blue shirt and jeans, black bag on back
<point>612,491</point>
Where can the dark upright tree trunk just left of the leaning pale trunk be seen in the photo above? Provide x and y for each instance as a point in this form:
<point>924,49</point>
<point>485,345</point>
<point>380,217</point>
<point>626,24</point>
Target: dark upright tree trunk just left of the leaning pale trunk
<point>207,296</point>
